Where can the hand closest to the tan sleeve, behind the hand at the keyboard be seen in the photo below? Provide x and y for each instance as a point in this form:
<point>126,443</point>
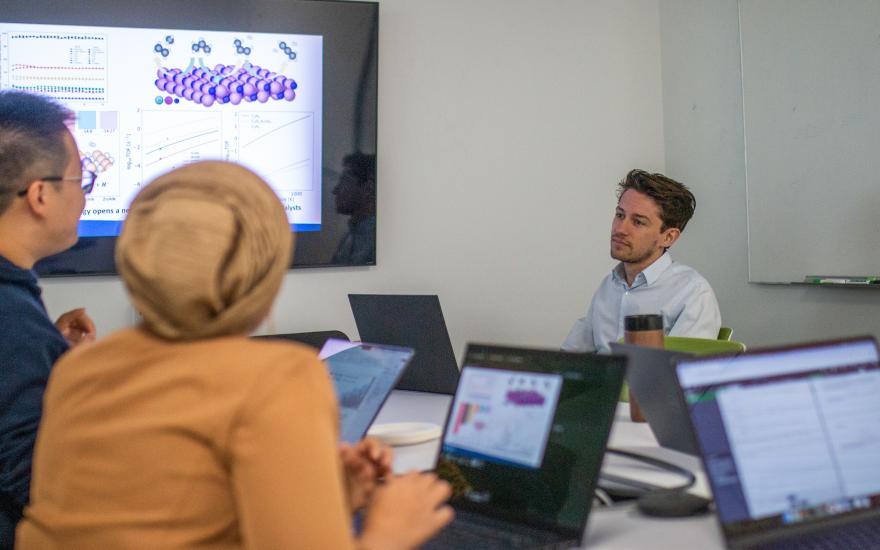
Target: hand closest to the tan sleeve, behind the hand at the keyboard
<point>365,463</point>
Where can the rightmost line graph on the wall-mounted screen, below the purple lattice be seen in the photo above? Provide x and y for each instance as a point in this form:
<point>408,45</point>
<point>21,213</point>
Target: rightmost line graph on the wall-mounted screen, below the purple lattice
<point>257,133</point>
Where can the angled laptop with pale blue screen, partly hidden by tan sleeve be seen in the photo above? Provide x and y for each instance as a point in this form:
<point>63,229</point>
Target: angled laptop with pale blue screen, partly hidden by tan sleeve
<point>363,375</point>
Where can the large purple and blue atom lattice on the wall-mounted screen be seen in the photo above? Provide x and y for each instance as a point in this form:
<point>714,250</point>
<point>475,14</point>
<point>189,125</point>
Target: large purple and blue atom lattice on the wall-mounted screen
<point>226,84</point>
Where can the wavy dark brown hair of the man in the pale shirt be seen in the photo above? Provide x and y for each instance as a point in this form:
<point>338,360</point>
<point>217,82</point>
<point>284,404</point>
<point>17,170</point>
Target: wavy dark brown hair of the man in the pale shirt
<point>676,202</point>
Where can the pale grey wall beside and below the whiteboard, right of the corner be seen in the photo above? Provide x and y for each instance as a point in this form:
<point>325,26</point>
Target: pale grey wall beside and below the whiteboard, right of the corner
<point>703,123</point>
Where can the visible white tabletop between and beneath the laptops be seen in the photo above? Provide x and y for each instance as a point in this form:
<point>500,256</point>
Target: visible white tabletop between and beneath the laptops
<point>618,527</point>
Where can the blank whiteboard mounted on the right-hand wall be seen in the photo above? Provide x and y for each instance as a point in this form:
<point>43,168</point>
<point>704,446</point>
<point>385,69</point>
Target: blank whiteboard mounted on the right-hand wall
<point>811,103</point>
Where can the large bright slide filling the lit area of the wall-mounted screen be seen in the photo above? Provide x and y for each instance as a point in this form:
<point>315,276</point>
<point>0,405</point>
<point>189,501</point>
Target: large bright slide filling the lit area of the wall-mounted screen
<point>148,101</point>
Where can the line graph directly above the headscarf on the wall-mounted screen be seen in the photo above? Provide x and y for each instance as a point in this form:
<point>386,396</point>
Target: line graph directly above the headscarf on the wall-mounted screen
<point>175,138</point>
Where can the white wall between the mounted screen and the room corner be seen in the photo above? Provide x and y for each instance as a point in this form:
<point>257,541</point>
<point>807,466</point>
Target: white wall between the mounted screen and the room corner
<point>503,127</point>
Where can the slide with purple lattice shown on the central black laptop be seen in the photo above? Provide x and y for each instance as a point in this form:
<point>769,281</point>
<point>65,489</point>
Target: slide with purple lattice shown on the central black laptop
<point>502,414</point>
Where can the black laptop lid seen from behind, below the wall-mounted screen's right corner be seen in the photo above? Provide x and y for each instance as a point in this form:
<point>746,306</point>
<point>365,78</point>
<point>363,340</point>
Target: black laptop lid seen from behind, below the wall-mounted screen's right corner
<point>414,321</point>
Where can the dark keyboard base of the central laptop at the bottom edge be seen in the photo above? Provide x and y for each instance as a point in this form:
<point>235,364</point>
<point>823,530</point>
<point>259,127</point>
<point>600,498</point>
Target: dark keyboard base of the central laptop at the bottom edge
<point>477,532</point>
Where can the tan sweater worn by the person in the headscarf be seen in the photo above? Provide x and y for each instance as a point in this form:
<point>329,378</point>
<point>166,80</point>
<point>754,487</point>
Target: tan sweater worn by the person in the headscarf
<point>225,443</point>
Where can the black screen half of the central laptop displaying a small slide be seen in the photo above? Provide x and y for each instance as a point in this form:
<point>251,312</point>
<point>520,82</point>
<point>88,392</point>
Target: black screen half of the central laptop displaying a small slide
<point>523,444</point>
